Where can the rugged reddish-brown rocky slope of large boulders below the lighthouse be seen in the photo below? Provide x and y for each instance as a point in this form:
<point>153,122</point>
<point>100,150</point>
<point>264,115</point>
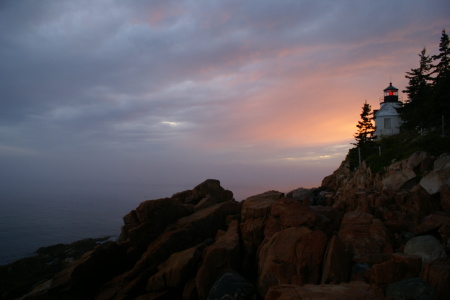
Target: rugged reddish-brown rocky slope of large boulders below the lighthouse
<point>359,236</point>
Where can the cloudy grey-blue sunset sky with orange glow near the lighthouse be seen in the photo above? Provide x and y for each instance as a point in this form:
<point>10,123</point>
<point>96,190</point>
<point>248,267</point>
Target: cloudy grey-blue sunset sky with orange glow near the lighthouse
<point>135,95</point>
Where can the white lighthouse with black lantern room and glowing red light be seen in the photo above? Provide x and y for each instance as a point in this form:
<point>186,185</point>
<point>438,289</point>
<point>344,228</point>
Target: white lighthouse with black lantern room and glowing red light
<point>387,119</point>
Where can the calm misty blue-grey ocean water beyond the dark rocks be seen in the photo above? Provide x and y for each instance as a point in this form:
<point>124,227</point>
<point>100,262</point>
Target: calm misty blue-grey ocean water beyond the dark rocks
<point>40,216</point>
